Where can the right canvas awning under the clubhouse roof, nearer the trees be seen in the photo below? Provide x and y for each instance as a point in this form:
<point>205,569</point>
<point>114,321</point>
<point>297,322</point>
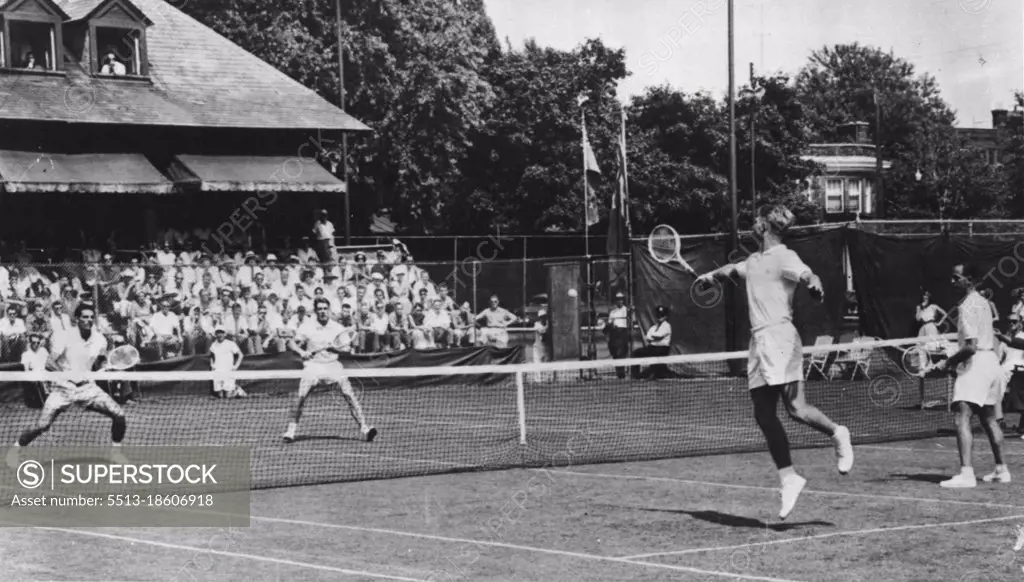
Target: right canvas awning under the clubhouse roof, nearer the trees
<point>254,174</point>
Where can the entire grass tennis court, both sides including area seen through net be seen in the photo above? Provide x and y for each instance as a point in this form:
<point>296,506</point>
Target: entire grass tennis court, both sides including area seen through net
<point>619,481</point>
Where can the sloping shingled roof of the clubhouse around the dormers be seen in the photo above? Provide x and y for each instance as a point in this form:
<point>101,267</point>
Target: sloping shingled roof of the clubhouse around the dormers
<point>199,79</point>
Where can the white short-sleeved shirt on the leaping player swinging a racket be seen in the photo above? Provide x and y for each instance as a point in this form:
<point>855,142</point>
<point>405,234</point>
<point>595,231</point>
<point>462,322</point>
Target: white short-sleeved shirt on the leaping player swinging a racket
<point>773,278</point>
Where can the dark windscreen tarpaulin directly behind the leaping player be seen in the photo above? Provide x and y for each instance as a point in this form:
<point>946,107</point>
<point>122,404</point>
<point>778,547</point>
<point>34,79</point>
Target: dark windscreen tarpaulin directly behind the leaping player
<point>699,322</point>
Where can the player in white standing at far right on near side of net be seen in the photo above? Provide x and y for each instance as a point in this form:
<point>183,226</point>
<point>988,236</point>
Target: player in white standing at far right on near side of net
<point>978,385</point>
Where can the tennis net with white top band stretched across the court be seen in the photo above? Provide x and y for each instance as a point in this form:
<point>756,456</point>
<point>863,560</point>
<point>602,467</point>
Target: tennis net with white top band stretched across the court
<point>445,420</point>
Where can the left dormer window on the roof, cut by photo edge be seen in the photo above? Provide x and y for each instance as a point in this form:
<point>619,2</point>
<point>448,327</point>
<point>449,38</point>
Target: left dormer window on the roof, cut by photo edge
<point>30,36</point>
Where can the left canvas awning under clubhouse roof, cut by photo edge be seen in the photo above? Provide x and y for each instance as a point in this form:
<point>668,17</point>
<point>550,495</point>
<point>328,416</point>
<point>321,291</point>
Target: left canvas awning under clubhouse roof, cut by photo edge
<point>81,174</point>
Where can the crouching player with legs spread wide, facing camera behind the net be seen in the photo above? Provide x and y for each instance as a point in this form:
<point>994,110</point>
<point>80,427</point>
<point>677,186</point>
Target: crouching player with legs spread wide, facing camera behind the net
<point>317,342</point>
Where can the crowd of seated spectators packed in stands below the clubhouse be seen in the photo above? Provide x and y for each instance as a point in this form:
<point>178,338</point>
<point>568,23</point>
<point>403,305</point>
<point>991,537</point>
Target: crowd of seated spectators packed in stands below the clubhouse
<point>170,304</point>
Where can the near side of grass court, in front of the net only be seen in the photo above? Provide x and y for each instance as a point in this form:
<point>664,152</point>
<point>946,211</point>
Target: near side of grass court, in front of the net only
<point>698,519</point>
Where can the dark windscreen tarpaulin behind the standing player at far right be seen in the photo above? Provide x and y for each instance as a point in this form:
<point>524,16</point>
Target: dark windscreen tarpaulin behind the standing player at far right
<point>891,273</point>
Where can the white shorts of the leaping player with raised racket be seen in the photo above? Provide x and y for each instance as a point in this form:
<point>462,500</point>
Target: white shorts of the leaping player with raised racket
<point>777,357</point>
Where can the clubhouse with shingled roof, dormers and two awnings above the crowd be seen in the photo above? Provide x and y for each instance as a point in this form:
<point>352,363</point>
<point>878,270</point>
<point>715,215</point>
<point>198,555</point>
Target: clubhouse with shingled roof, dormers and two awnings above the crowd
<point>129,116</point>
